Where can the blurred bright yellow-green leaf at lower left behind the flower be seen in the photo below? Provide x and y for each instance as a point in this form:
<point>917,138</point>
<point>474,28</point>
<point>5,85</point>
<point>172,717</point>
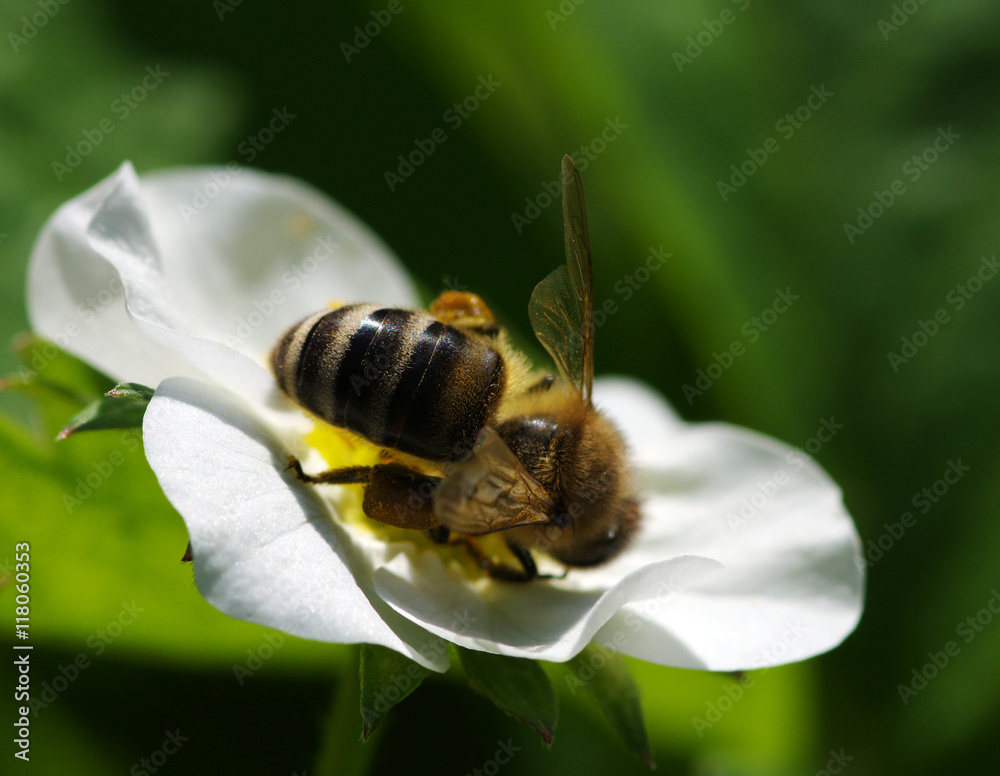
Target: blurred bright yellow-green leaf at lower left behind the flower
<point>93,510</point>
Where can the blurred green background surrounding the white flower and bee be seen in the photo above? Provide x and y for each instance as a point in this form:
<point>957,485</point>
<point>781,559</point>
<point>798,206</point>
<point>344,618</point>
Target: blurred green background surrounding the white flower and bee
<point>697,89</point>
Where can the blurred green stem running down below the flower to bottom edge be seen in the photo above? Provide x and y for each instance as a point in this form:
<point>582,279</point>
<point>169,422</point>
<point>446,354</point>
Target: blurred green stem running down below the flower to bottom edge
<point>342,752</point>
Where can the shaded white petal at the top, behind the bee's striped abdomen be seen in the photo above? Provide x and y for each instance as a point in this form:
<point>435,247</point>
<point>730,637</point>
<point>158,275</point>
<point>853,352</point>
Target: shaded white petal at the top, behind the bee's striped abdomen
<point>263,253</point>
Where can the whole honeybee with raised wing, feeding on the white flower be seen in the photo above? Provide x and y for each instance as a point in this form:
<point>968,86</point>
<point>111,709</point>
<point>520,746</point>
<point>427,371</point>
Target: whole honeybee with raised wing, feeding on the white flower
<point>475,441</point>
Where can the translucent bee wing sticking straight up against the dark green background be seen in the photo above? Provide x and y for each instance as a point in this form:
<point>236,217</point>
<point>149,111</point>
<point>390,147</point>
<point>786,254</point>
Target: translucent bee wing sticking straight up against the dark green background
<point>562,305</point>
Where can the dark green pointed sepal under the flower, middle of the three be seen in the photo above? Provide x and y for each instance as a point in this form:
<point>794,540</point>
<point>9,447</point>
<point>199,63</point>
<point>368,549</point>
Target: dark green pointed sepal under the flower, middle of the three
<point>517,686</point>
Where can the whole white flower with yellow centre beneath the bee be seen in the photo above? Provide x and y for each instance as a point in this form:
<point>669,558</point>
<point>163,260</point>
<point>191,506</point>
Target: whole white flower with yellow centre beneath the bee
<point>185,280</point>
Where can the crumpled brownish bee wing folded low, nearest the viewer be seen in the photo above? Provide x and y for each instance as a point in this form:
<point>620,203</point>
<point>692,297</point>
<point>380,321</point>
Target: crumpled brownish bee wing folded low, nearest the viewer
<point>490,491</point>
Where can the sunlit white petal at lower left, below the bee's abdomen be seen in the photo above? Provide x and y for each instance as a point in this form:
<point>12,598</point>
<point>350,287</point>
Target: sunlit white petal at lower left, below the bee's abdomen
<point>266,548</point>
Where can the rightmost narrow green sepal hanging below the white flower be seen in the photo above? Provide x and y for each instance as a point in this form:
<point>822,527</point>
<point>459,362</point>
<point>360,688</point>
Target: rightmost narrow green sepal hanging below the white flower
<point>604,675</point>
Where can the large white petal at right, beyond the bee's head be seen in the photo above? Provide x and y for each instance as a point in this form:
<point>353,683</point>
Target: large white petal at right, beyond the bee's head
<point>793,584</point>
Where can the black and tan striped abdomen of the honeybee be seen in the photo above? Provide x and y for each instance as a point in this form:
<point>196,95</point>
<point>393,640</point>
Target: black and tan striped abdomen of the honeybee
<point>399,378</point>
